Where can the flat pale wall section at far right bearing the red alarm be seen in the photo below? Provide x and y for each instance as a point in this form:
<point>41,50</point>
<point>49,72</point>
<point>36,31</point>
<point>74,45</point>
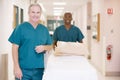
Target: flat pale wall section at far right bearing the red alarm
<point>112,31</point>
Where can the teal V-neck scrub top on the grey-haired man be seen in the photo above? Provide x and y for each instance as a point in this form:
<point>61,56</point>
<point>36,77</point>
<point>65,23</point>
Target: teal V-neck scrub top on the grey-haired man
<point>28,38</point>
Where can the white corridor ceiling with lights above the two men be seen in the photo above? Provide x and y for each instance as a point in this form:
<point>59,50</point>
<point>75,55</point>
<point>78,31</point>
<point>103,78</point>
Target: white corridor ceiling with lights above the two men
<point>71,5</point>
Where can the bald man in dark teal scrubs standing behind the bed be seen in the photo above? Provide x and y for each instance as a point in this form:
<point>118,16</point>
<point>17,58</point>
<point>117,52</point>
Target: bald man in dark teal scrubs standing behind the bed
<point>67,32</point>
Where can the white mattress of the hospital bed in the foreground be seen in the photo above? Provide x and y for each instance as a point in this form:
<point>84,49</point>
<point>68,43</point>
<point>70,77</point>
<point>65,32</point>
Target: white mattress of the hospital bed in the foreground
<point>69,68</point>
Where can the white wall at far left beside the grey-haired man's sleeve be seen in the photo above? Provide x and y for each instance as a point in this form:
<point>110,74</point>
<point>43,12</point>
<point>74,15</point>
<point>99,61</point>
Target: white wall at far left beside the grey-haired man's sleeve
<point>6,24</point>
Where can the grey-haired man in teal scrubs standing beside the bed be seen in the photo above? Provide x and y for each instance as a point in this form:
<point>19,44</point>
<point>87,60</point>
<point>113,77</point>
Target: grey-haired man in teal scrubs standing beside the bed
<point>29,41</point>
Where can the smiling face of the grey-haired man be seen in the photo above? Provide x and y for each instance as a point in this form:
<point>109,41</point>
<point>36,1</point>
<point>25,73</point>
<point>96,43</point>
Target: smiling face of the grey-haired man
<point>34,13</point>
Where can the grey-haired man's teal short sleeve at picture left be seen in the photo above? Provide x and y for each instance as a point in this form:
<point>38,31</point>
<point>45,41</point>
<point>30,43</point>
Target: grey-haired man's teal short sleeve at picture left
<point>15,36</point>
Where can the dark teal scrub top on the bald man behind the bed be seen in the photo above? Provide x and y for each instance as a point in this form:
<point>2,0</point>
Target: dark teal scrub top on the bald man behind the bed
<point>72,35</point>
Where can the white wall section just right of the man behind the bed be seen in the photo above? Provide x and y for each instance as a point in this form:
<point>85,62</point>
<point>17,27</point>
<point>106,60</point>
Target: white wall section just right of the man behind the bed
<point>80,18</point>
